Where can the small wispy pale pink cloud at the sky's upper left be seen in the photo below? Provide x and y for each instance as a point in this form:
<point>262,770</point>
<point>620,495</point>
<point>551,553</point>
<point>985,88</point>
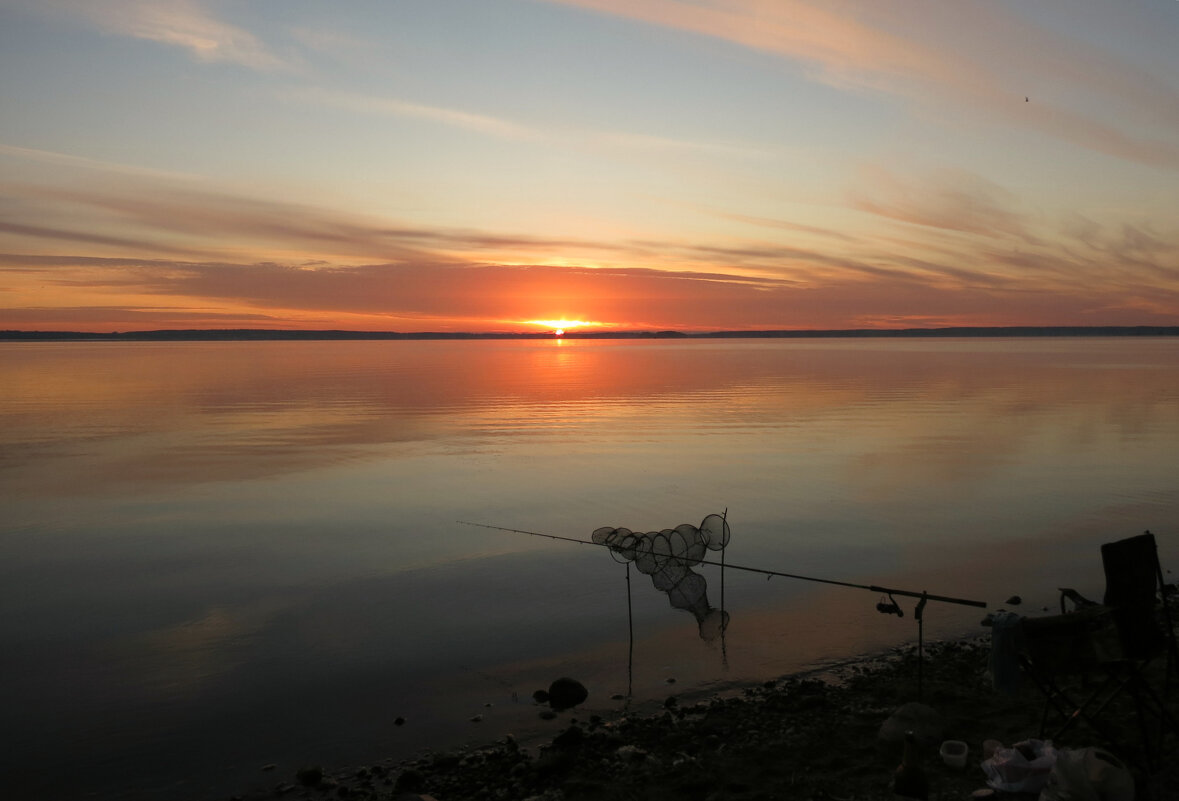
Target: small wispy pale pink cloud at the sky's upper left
<point>183,24</point>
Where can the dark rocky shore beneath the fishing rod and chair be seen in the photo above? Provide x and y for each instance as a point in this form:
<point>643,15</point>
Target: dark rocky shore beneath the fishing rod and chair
<point>814,737</point>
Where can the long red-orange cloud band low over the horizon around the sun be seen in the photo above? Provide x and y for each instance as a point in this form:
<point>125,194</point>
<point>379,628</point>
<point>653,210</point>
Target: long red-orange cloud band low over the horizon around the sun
<point>432,297</point>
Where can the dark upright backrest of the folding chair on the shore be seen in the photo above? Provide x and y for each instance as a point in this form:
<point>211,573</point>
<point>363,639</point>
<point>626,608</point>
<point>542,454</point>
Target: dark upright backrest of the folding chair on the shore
<point>1132,580</point>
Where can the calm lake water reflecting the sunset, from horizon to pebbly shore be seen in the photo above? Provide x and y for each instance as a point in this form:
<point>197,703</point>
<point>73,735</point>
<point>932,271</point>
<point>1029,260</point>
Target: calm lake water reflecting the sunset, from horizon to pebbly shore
<point>219,556</point>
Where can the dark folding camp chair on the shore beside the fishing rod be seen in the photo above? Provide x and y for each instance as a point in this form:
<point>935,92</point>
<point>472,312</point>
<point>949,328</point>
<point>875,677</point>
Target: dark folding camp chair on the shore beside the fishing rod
<point>1119,640</point>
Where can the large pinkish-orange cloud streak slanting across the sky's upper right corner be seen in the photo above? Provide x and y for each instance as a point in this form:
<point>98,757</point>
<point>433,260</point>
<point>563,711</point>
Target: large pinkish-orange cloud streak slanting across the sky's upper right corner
<point>944,56</point>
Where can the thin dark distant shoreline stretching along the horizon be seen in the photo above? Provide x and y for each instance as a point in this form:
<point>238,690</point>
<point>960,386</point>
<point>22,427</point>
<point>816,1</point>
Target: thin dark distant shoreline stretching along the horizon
<point>255,334</point>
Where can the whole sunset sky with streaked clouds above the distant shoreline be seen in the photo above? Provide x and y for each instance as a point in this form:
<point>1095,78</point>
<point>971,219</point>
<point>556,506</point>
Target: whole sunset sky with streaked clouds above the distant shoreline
<point>511,166</point>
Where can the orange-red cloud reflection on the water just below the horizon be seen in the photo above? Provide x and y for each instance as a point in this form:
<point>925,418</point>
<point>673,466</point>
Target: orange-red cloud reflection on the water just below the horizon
<point>90,417</point>
